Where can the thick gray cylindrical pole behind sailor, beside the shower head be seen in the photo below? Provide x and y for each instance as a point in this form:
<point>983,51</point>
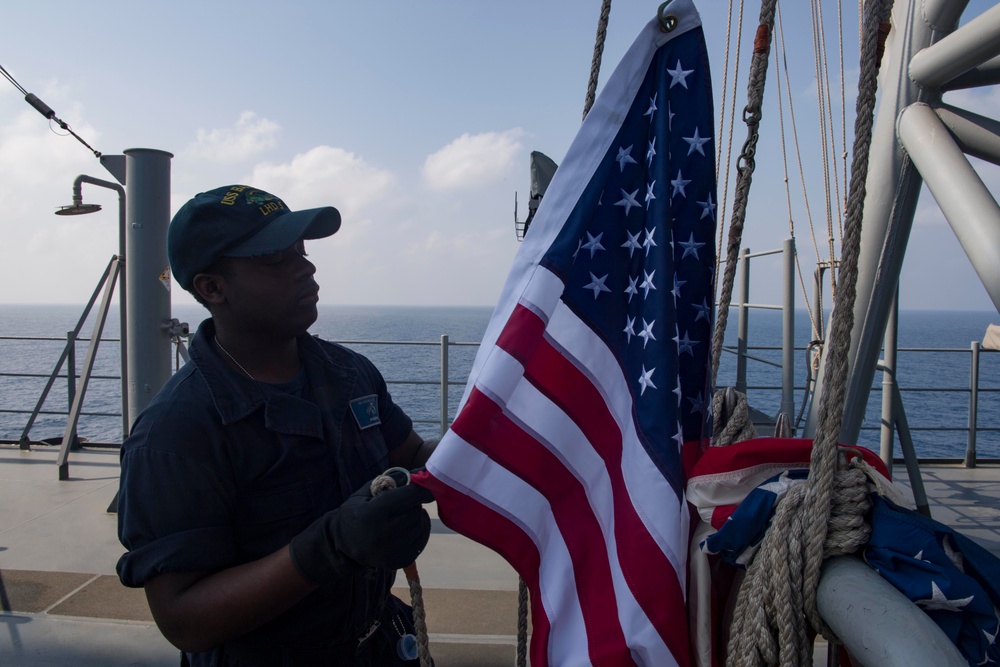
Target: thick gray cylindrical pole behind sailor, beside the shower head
<point>147,274</point>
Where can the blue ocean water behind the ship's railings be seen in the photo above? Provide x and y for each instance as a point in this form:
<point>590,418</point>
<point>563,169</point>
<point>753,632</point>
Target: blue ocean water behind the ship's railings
<point>33,337</point>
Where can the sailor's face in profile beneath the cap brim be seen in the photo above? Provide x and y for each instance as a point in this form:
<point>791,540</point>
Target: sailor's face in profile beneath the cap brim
<point>276,291</point>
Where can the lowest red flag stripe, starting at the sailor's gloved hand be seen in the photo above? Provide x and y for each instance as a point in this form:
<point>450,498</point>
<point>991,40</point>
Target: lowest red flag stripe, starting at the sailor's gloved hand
<point>495,531</point>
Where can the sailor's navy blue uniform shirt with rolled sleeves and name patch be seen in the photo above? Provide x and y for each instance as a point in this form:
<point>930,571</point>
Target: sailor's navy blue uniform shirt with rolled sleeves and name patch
<point>221,470</point>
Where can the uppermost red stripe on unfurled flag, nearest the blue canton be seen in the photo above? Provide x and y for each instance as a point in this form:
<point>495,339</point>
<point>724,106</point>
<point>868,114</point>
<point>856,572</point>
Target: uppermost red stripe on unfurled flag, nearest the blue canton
<point>649,573</point>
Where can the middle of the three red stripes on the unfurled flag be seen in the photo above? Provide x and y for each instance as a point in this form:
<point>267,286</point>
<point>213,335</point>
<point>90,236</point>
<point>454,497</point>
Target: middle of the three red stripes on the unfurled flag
<point>483,425</point>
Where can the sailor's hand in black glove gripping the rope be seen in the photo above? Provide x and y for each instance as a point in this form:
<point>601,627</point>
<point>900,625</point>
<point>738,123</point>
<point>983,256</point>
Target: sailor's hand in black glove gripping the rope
<point>387,531</point>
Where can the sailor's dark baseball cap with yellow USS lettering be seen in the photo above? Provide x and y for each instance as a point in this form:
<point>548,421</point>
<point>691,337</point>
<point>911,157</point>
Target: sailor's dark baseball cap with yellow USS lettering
<point>238,221</point>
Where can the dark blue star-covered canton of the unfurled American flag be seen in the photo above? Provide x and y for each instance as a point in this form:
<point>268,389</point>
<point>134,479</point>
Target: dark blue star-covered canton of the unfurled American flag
<point>638,255</point>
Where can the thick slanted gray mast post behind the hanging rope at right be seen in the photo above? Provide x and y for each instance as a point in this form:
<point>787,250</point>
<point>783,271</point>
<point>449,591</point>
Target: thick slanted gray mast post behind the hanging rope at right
<point>893,187</point>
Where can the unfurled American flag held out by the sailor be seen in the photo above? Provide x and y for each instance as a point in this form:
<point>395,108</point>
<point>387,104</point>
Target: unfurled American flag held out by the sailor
<point>590,392</point>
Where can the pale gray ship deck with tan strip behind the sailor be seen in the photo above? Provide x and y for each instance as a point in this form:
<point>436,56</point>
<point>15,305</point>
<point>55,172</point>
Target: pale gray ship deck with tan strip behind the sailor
<point>63,604</point>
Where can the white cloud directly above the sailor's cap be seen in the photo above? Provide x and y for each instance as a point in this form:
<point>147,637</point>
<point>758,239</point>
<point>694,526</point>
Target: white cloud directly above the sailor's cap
<point>325,176</point>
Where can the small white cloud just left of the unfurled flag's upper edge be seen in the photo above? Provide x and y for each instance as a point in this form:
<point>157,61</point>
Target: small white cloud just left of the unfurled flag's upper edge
<point>472,160</point>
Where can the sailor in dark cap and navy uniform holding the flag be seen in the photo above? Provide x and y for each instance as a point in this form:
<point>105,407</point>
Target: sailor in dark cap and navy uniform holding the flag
<point>245,501</point>
